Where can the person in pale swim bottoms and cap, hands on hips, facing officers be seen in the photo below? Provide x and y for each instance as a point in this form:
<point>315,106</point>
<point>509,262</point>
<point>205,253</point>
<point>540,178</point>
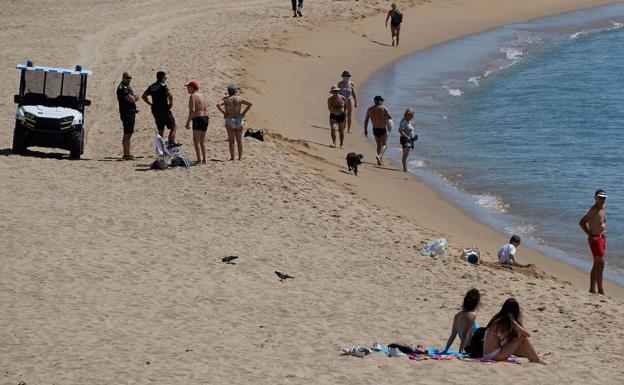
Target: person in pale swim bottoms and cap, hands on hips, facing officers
<point>231,108</point>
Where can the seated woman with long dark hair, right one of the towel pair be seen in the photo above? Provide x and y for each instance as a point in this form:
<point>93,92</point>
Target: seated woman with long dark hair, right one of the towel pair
<point>505,336</point>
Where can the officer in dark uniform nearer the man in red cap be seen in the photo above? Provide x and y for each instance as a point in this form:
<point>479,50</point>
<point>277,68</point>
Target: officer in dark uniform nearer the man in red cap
<point>161,106</point>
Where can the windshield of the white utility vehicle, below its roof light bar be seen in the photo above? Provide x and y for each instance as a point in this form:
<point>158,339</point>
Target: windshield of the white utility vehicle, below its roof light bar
<point>55,84</point>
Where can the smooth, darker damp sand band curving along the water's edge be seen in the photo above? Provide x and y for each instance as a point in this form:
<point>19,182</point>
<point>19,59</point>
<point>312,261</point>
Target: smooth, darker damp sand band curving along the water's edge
<point>360,48</point>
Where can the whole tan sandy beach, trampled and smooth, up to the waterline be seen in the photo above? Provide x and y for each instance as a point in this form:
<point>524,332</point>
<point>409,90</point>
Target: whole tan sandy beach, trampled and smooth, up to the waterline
<point>113,274</point>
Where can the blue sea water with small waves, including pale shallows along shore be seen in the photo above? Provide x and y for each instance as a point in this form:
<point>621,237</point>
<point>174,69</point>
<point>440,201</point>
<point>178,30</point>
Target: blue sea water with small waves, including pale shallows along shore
<point>521,124</point>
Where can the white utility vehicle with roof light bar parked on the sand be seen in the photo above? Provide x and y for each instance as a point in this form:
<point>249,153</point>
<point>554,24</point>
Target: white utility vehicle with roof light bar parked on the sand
<point>50,109</point>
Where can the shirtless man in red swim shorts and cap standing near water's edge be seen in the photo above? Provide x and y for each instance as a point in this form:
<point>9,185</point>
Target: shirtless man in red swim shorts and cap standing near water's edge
<point>594,224</point>
